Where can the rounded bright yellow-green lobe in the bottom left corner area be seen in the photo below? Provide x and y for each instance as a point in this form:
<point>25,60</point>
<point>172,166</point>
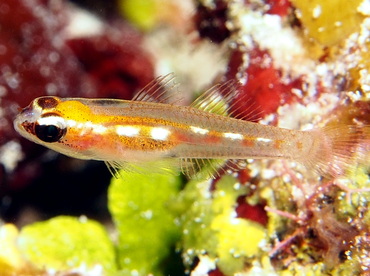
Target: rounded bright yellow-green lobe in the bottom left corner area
<point>65,242</point>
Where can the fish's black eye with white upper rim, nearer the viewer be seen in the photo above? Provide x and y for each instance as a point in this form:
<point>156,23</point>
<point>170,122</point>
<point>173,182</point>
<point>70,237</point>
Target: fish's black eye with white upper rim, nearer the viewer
<point>50,129</point>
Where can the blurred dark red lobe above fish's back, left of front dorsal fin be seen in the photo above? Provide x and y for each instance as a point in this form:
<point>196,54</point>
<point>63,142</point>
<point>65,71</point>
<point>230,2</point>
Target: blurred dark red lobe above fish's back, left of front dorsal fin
<point>118,68</point>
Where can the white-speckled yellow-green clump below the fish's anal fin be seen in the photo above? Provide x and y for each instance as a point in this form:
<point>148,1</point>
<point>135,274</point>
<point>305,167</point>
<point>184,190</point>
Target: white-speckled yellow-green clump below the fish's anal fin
<point>210,225</point>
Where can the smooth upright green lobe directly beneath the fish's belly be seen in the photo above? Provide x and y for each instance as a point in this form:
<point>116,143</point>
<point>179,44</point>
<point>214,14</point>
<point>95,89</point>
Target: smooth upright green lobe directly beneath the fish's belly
<point>146,228</point>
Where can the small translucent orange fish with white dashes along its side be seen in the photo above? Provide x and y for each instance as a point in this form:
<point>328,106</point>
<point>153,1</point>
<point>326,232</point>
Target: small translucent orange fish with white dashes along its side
<point>148,129</point>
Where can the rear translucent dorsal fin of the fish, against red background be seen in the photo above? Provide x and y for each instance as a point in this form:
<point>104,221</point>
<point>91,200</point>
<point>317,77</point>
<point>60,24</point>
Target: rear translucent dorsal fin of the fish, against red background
<point>224,99</point>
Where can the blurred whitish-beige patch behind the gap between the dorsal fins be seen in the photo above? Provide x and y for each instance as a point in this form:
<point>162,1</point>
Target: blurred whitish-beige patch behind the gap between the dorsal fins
<point>193,66</point>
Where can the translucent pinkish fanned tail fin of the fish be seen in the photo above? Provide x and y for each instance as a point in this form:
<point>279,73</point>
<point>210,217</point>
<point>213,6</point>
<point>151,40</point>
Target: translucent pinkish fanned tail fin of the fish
<point>340,149</point>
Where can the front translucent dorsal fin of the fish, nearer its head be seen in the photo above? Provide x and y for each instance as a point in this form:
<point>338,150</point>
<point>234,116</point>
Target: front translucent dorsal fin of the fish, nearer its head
<point>160,90</point>
